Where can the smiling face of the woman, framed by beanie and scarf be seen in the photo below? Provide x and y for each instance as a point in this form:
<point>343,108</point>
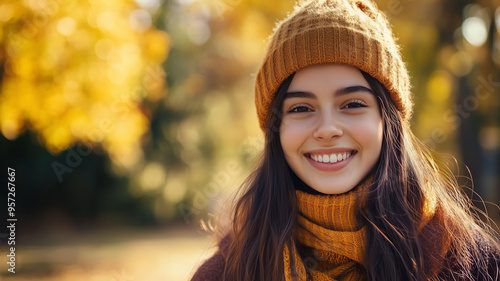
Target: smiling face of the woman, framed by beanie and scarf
<point>331,131</point>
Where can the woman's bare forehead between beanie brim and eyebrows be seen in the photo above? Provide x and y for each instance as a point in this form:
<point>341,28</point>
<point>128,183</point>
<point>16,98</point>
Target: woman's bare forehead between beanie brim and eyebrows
<point>330,75</point>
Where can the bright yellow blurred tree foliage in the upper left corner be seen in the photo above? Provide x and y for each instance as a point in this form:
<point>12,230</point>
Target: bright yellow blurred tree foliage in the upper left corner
<point>77,71</point>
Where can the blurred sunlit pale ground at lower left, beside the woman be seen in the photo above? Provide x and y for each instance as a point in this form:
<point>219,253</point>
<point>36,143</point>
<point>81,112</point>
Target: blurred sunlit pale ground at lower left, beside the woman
<point>119,255</point>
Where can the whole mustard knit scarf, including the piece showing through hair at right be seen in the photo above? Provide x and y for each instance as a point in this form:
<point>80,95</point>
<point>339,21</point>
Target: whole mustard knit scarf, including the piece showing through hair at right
<point>332,239</point>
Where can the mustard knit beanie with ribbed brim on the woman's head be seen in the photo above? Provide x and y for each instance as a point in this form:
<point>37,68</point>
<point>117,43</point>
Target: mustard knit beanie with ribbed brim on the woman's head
<point>353,32</point>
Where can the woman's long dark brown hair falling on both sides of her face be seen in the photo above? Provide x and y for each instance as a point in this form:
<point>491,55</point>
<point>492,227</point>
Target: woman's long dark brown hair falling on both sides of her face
<point>266,213</point>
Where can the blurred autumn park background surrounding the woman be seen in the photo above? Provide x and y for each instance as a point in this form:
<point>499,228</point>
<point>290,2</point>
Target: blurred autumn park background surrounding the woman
<point>127,121</point>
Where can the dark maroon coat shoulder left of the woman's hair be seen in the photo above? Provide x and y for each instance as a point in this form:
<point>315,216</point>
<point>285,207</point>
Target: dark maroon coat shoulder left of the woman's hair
<point>213,268</point>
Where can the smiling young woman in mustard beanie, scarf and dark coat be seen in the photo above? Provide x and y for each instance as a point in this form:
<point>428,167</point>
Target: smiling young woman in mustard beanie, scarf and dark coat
<point>344,190</point>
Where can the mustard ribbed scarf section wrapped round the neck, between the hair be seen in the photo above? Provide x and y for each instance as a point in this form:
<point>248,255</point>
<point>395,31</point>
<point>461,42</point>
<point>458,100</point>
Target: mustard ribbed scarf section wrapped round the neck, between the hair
<point>331,236</point>
